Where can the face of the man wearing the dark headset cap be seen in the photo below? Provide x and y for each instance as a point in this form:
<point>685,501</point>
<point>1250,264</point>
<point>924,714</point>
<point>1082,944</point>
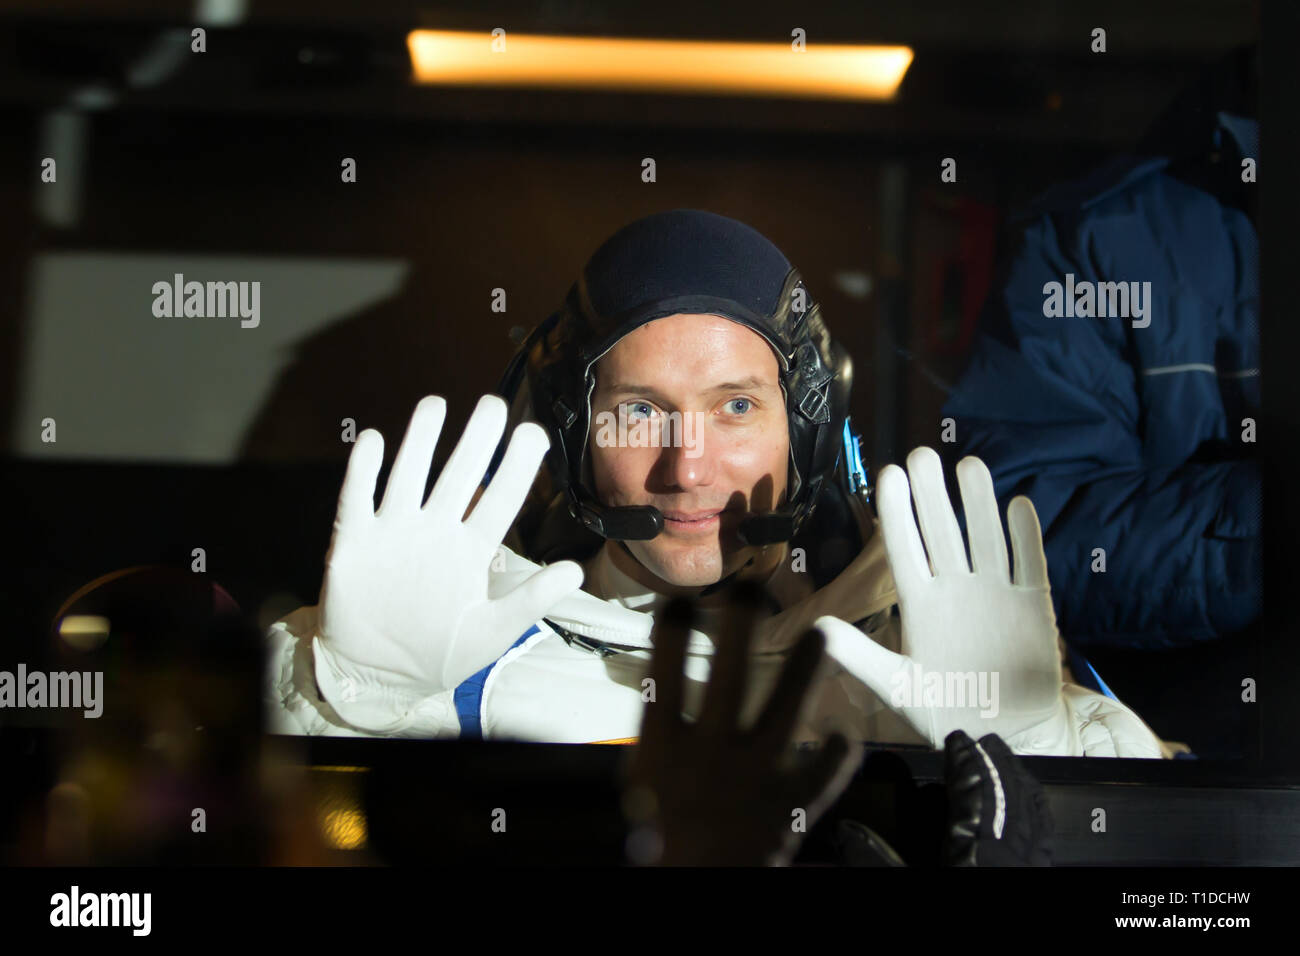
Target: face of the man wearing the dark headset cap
<point>721,382</point>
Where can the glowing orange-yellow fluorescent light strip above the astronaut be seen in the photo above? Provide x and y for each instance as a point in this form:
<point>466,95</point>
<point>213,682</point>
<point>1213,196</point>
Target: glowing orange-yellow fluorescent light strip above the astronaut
<point>688,67</point>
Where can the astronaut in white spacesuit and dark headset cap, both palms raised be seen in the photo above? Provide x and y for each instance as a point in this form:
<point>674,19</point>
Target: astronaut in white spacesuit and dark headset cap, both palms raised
<point>515,605</point>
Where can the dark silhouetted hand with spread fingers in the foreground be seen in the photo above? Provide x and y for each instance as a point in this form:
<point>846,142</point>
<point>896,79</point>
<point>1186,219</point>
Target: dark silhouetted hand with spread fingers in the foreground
<point>714,793</point>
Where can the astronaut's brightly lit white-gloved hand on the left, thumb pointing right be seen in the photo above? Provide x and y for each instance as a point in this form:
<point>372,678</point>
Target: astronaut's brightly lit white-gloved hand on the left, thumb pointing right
<point>406,590</point>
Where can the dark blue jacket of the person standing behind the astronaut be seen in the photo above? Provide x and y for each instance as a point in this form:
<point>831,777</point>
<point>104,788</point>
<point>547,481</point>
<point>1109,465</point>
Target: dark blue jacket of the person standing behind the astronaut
<point>1130,439</point>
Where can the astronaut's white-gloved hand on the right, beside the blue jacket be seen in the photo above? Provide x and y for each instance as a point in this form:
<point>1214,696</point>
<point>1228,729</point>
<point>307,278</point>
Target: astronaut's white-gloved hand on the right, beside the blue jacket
<point>980,647</point>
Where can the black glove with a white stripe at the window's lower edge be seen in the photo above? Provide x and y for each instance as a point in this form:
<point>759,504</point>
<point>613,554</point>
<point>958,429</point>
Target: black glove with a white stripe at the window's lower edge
<point>998,814</point>
